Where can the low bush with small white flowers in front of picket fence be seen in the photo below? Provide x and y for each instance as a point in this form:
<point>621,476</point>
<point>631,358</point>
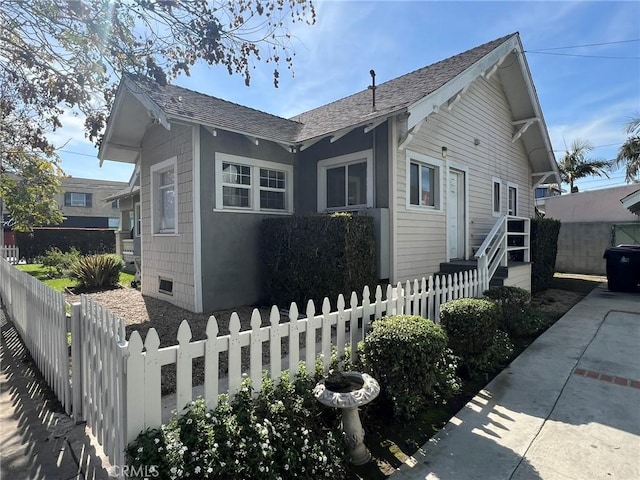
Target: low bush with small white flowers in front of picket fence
<point>281,433</point>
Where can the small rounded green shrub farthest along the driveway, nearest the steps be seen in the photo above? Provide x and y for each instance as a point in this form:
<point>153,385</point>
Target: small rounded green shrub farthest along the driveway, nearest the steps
<point>513,302</point>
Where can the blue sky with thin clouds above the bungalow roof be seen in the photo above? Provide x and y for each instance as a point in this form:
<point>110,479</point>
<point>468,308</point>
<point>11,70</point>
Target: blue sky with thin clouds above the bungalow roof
<point>586,93</point>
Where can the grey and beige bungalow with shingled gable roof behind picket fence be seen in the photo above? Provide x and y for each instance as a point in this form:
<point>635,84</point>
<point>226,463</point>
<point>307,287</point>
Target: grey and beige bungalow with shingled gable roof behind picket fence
<point>447,152</point>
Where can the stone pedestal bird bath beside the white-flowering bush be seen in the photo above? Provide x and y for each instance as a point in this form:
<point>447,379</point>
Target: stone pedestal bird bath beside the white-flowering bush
<point>348,391</point>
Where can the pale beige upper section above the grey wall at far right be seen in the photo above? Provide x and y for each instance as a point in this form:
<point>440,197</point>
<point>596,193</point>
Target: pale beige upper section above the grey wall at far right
<point>592,206</point>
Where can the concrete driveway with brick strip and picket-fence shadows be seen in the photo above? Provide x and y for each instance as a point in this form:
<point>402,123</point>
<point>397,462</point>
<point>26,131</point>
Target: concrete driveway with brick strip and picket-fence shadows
<point>567,408</point>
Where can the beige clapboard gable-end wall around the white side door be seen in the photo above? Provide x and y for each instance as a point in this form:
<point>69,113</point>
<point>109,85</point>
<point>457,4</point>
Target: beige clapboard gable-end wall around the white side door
<point>482,113</point>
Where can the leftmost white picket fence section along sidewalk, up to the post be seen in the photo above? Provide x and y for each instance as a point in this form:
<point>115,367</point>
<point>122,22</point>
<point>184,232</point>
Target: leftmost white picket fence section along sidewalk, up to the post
<point>38,313</point>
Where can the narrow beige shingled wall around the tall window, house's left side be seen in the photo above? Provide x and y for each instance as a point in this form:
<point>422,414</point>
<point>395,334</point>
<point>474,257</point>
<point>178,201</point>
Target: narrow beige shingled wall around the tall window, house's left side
<point>169,256</point>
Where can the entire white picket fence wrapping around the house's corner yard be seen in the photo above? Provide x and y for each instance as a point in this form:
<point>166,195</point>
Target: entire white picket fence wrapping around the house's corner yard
<point>115,385</point>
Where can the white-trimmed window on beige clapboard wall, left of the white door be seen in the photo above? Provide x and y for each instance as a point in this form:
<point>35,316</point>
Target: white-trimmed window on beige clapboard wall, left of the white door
<point>424,180</point>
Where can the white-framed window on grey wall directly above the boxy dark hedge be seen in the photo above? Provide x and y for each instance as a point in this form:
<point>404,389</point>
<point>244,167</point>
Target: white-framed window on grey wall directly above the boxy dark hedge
<point>345,182</point>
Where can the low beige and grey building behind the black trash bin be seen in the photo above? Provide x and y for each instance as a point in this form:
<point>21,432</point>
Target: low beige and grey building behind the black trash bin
<point>591,222</point>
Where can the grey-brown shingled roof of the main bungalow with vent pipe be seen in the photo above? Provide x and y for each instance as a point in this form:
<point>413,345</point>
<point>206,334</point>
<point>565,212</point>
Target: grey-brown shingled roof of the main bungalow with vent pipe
<point>392,96</point>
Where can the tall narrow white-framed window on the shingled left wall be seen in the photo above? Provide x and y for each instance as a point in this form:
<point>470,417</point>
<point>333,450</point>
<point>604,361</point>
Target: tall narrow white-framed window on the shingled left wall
<point>164,197</point>
